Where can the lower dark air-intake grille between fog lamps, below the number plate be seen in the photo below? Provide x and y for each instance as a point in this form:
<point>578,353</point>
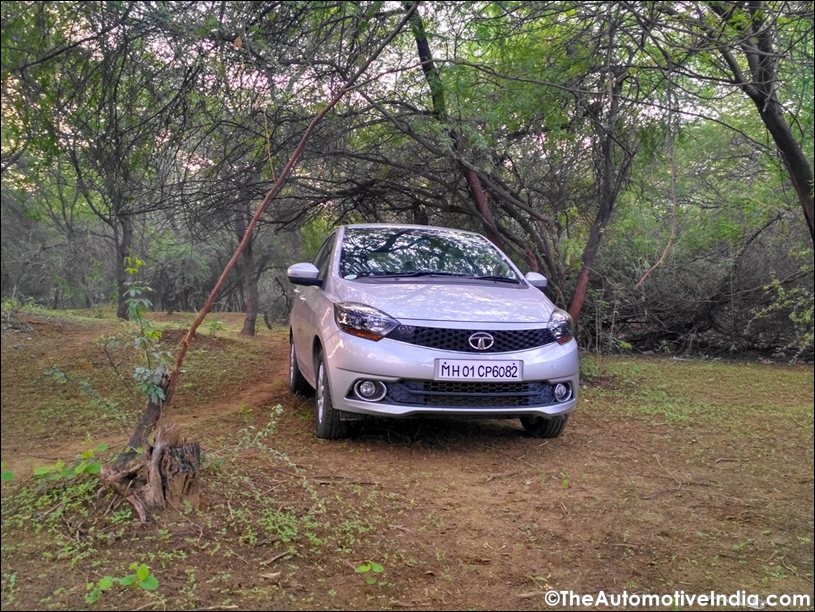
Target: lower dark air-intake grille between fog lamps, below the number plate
<point>463,394</point>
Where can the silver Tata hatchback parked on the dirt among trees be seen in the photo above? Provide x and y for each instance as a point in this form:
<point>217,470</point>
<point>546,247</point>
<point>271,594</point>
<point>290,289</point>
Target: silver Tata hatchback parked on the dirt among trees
<point>401,320</point>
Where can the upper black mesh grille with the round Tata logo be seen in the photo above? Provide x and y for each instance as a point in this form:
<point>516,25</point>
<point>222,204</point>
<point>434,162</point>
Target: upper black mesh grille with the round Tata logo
<point>458,339</point>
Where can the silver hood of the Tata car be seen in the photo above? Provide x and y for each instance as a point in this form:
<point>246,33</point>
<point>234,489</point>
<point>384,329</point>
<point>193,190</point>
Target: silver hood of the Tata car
<point>450,301</point>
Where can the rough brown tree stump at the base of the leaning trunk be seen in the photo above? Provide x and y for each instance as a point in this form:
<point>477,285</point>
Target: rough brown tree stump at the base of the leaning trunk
<point>164,474</point>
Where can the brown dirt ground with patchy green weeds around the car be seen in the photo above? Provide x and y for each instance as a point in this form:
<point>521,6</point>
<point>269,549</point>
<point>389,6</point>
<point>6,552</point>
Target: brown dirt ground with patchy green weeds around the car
<point>672,476</point>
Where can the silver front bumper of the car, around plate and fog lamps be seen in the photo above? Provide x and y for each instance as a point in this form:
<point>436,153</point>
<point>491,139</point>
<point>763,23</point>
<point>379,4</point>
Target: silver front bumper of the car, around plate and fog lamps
<point>400,366</point>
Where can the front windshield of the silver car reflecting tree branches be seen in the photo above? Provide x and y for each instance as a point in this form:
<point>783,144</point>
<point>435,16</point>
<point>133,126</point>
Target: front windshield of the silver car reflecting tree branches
<point>415,252</point>
